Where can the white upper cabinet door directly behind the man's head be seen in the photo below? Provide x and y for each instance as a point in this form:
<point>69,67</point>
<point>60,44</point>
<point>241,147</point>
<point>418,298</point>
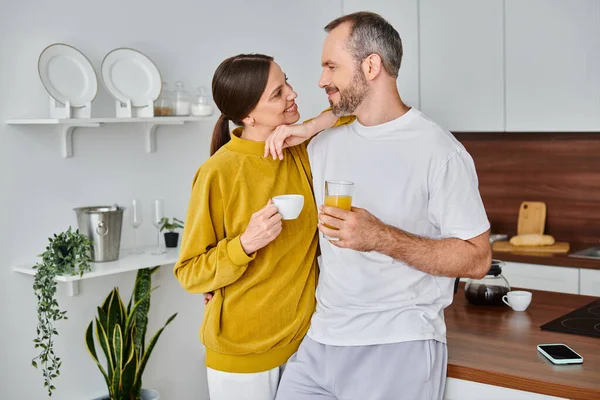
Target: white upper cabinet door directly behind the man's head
<point>403,15</point>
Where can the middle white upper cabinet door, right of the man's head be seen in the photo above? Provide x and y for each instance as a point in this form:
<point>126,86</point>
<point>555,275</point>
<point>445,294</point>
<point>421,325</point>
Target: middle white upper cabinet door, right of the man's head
<point>461,47</point>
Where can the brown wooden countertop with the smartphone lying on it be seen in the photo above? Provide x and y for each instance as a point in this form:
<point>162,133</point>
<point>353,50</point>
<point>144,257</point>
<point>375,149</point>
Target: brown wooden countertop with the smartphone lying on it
<point>497,346</point>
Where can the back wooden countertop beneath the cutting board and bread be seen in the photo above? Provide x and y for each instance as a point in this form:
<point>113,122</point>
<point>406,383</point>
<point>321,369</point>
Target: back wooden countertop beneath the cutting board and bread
<point>562,260</point>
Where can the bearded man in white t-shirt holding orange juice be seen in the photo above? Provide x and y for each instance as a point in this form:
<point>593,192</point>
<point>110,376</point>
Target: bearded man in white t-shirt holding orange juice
<point>418,222</point>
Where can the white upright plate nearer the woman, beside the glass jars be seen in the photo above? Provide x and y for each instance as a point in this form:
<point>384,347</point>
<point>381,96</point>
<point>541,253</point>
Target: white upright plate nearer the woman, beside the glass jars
<point>130,75</point>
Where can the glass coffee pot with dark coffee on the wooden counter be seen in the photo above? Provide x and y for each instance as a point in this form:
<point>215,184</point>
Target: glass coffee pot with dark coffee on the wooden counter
<point>490,289</point>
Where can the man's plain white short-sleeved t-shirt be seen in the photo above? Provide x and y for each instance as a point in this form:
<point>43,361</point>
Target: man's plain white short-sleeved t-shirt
<point>413,175</point>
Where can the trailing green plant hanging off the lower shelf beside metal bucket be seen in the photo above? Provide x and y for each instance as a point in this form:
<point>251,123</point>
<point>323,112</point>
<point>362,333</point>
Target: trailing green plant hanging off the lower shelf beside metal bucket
<point>68,253</point>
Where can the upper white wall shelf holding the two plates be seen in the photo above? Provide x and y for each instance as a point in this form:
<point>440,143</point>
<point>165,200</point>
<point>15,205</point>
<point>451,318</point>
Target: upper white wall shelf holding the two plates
<point>67,127</point>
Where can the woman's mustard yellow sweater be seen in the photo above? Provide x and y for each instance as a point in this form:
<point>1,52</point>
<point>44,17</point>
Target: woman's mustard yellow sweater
<point>262,302</point>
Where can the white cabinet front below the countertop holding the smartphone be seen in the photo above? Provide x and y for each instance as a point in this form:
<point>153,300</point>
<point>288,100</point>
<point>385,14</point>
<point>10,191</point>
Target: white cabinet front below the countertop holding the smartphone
<point>458,389</point>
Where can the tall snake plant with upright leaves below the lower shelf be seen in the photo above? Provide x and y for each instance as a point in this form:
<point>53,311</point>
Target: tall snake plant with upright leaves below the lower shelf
<point>121,333</point>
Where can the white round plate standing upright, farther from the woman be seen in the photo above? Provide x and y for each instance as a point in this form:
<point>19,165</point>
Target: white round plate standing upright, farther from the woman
<point>67,75</point>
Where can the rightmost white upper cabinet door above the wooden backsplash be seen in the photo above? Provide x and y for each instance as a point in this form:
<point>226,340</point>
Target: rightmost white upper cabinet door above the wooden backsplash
<point>552,65</point>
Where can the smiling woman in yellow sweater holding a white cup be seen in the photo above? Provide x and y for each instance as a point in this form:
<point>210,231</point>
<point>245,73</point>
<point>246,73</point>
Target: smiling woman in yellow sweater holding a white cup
<point>262,271</point>
